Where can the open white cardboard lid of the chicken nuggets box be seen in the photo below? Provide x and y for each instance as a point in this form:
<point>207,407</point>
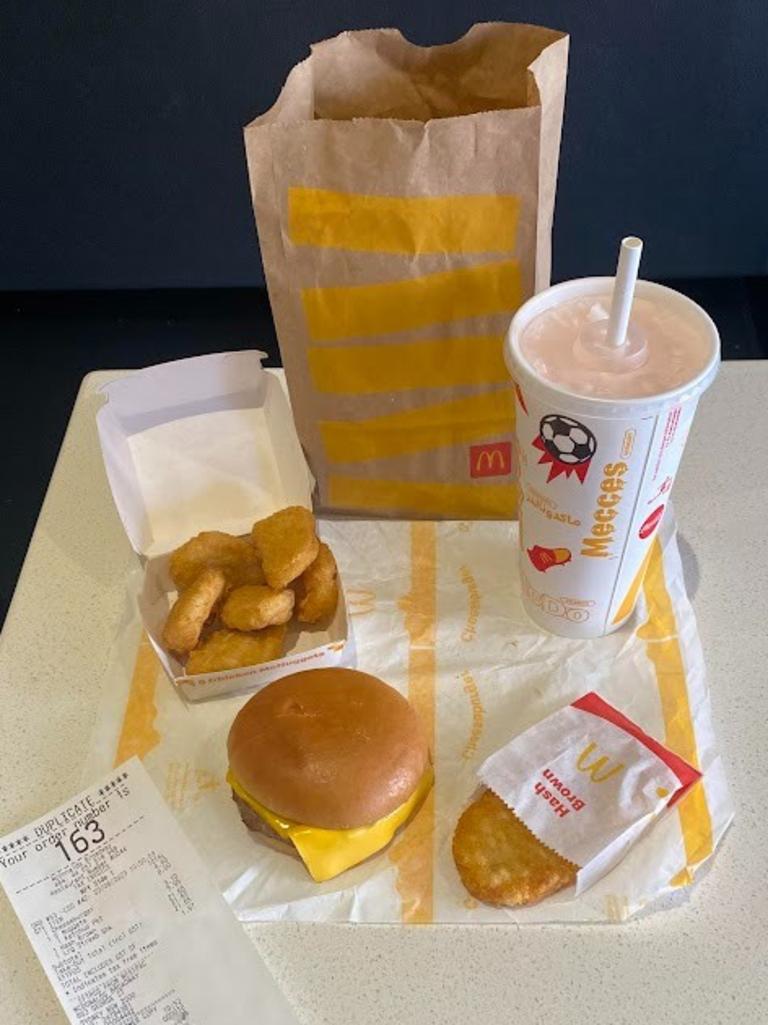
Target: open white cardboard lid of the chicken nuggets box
<point>201,444</point>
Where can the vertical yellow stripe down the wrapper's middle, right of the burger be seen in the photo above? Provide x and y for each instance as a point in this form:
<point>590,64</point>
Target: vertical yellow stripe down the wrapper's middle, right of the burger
<point>413,853</point>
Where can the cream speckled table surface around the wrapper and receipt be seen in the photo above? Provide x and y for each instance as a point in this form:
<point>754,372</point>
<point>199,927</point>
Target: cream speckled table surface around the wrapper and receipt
<point>701,961</point>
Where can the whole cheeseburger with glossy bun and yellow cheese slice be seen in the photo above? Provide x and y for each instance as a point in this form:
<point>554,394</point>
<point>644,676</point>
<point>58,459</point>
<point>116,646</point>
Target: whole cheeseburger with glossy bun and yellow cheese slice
<point>331,762</point>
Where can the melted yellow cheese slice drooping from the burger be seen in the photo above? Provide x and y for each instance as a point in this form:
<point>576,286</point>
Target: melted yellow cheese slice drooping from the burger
<point>329,852</point>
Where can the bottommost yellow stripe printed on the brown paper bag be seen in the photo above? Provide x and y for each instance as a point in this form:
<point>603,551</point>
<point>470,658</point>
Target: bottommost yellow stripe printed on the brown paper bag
<point>425,499</point>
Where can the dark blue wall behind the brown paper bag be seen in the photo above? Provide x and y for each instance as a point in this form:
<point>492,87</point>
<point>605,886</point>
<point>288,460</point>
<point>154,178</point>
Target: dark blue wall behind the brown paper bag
<point>123,167</point>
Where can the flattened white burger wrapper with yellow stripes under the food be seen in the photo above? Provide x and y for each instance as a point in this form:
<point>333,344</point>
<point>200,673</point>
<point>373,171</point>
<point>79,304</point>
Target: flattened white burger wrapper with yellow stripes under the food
<point>437,612</point>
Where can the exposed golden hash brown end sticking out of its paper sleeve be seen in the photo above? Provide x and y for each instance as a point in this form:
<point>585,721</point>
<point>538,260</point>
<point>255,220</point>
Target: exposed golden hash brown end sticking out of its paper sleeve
<point>500,859</point>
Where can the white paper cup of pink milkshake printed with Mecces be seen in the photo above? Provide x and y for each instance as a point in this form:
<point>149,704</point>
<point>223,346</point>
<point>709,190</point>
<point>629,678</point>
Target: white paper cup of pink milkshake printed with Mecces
<point>600,432</point>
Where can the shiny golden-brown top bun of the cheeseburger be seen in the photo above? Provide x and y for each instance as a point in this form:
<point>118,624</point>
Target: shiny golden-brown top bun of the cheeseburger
<point>334,749</point>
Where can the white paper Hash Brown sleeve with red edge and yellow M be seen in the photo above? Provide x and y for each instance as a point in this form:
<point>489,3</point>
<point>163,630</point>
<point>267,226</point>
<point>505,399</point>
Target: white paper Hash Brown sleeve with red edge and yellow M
<point>588,782</point>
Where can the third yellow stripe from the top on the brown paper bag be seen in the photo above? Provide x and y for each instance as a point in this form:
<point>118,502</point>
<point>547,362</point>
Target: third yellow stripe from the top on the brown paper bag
<point>439,363</point>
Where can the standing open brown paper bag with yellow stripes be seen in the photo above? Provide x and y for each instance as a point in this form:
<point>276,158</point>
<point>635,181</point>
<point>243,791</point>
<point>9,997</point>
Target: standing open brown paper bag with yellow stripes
<point>403,198</point>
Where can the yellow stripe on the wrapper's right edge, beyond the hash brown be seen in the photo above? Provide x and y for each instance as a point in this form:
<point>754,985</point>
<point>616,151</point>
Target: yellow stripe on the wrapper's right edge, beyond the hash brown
<point>663,646</point>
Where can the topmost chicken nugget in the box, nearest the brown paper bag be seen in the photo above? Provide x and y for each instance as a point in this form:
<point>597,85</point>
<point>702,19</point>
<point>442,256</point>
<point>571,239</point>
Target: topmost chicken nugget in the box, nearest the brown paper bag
<point>288,544</point>
